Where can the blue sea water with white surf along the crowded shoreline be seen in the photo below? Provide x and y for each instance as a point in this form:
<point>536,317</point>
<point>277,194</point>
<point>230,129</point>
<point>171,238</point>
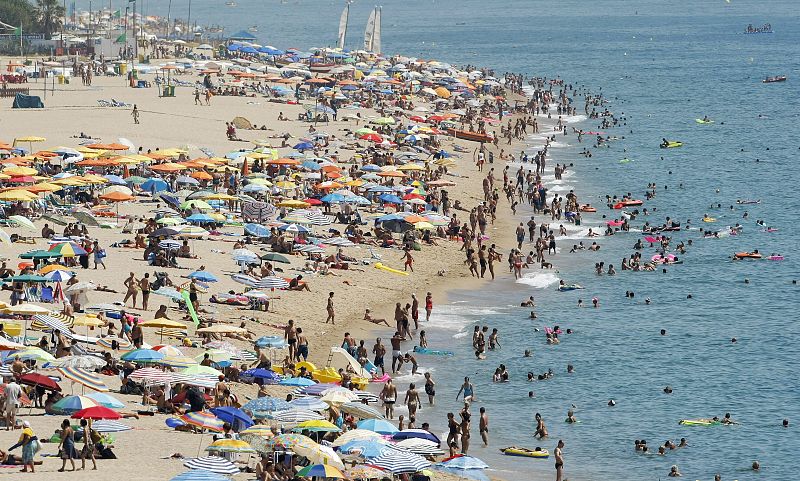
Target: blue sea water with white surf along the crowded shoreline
<point>663,64</point>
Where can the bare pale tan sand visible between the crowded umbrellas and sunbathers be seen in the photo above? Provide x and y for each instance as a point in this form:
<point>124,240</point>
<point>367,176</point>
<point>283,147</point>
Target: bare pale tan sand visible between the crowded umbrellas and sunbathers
<point>72,110</point>
